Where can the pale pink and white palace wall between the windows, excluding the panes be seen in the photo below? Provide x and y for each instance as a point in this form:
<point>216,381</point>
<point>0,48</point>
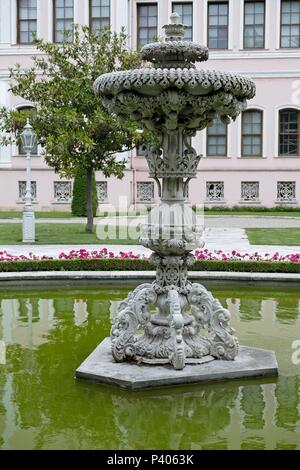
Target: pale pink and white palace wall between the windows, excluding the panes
<point>276,73</point>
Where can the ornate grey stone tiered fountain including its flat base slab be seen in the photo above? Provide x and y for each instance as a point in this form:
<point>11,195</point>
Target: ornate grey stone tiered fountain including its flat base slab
<point>171,330</point>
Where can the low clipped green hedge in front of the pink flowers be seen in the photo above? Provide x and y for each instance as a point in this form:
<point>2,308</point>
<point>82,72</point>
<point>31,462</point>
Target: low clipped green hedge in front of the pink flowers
<point>144,265</point>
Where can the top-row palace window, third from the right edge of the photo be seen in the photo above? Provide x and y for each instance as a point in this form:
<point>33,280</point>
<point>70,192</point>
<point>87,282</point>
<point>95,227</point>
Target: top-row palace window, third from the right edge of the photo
<point>218,25</point>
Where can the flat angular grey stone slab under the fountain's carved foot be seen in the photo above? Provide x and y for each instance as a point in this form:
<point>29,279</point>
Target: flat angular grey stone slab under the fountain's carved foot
<point>100,367</point>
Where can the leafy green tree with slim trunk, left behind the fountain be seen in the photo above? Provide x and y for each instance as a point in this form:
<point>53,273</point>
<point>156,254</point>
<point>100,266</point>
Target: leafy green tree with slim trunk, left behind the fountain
<point>72,126</point>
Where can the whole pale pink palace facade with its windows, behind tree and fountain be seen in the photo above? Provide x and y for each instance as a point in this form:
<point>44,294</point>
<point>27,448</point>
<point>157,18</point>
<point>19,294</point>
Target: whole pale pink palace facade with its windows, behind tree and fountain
<point>254,161</point>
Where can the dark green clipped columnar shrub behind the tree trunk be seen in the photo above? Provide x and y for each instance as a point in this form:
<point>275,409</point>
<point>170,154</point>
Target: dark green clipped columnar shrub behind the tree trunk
<point>80,194</point>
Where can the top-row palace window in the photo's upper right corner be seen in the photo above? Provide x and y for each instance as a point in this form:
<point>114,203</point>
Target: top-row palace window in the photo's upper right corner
<point>290,23</point>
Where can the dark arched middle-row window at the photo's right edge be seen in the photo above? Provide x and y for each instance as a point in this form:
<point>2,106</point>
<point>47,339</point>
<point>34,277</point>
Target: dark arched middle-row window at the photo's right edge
<point>289,132</point>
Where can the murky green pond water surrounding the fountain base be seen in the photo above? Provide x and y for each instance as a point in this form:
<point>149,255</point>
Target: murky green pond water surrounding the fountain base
<point>48,333</point>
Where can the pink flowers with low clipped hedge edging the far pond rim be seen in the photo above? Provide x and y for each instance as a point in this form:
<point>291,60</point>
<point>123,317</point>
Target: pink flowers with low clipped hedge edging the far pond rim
<point>105,260</point>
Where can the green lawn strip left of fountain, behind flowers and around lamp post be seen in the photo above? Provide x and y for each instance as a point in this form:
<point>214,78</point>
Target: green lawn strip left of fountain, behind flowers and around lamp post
<point>52,234</point>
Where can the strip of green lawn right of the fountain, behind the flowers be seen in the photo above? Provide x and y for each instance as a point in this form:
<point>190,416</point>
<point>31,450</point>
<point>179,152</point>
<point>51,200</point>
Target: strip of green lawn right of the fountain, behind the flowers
<point>274,236</point>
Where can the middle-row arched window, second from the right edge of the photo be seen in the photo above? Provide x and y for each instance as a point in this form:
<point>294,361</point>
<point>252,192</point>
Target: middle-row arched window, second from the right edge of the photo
<point>252,133</point>
